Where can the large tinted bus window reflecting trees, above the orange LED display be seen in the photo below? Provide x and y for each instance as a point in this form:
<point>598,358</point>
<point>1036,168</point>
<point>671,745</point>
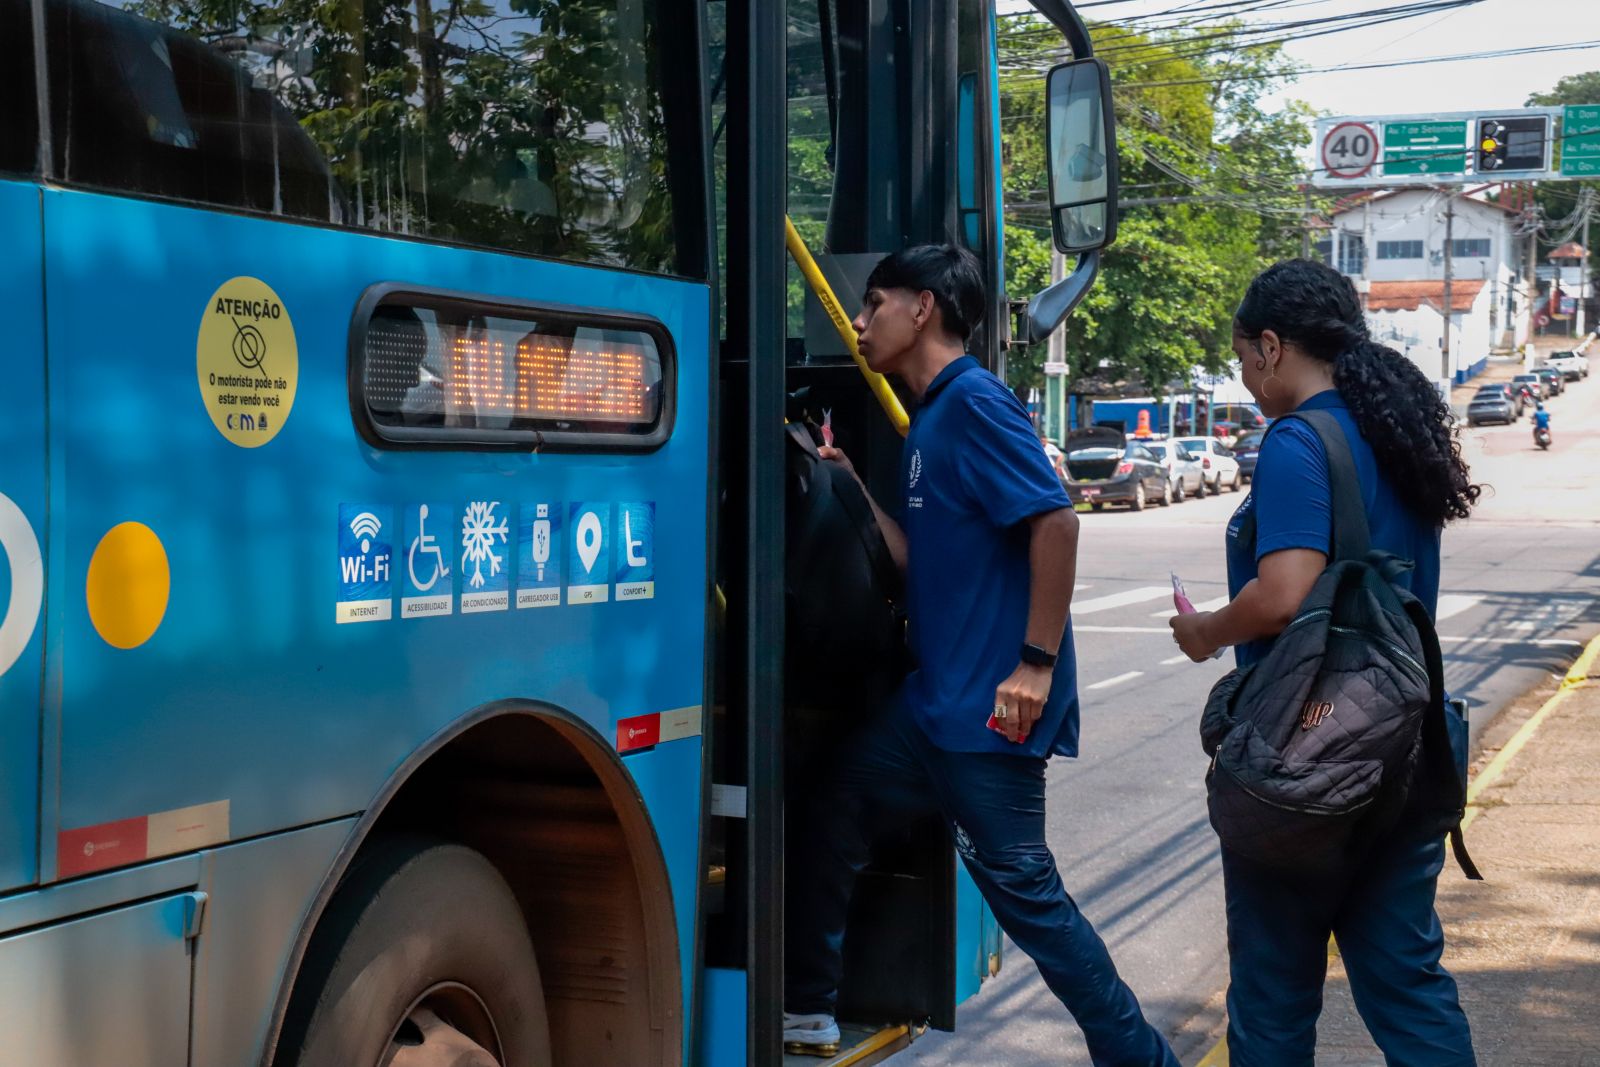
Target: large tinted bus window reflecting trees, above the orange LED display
<point>522,126</point>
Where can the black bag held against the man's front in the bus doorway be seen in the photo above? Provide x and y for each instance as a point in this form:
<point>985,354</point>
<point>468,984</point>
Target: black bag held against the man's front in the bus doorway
<point>846,649</point>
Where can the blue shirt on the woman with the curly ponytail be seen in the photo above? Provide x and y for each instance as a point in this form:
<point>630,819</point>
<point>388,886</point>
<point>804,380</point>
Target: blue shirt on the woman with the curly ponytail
<point>1294,503</point>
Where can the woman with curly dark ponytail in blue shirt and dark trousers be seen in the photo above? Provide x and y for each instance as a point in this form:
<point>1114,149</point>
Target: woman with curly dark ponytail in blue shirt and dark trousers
<point>1303,343</point>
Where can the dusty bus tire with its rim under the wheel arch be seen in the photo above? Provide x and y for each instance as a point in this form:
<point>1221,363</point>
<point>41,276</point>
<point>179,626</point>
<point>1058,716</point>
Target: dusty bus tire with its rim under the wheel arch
<point>423,945</point>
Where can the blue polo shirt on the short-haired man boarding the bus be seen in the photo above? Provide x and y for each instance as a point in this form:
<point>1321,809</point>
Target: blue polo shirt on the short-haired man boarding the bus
<point>974,471</point>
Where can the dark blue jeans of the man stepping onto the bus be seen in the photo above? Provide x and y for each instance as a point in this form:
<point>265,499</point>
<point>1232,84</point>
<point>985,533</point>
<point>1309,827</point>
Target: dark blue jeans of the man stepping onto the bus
<point>996,810</point>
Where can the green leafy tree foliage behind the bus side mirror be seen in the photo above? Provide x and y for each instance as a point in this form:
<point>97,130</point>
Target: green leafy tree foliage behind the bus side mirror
<point>1164,303</point>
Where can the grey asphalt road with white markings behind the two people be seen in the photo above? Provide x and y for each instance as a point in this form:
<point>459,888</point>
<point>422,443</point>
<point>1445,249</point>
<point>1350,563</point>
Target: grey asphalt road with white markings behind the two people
<point>1127,820</point>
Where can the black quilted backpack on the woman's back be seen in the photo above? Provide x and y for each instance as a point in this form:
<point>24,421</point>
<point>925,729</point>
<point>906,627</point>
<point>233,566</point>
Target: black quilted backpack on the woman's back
<point>1343,729</point>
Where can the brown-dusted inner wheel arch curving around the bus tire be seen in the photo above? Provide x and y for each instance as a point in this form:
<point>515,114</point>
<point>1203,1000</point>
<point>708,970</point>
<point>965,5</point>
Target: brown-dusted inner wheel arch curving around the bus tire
<point>550,801</point>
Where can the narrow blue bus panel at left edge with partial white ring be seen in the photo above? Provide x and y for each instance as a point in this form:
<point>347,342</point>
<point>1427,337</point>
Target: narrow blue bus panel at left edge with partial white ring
<point>22,532</point>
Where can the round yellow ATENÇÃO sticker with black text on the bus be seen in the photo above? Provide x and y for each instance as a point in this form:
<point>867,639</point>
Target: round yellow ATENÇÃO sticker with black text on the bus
<point>247,362</point>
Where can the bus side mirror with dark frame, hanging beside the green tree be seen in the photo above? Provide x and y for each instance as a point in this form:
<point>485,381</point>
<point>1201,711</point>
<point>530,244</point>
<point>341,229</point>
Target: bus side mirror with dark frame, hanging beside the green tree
<point>1082,156</point>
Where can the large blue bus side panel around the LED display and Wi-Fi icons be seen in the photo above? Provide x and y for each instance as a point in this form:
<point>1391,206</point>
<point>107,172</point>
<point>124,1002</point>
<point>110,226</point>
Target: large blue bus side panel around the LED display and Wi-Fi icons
<point>250,708</point>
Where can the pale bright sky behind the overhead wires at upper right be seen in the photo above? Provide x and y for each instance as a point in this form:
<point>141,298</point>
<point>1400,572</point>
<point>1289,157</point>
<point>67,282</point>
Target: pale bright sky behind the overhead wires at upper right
<point>1442,87</point>
